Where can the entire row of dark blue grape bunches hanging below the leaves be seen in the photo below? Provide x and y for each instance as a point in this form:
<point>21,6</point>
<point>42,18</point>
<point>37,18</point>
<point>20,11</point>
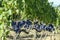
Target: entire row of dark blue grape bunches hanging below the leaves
<point>28,24</point>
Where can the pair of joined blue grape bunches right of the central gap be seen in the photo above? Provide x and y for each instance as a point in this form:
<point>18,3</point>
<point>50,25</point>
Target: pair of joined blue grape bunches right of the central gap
<point>41,26</point>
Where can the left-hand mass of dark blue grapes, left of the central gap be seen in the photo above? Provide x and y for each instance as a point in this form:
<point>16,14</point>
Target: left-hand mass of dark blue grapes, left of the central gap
<point>16,26</point>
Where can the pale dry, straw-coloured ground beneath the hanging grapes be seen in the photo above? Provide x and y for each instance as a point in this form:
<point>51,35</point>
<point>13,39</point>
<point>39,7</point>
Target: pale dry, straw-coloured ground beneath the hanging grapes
<point>44,35</point>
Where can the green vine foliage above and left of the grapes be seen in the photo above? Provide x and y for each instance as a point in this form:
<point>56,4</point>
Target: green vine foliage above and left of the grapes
<point>41,10</point>
